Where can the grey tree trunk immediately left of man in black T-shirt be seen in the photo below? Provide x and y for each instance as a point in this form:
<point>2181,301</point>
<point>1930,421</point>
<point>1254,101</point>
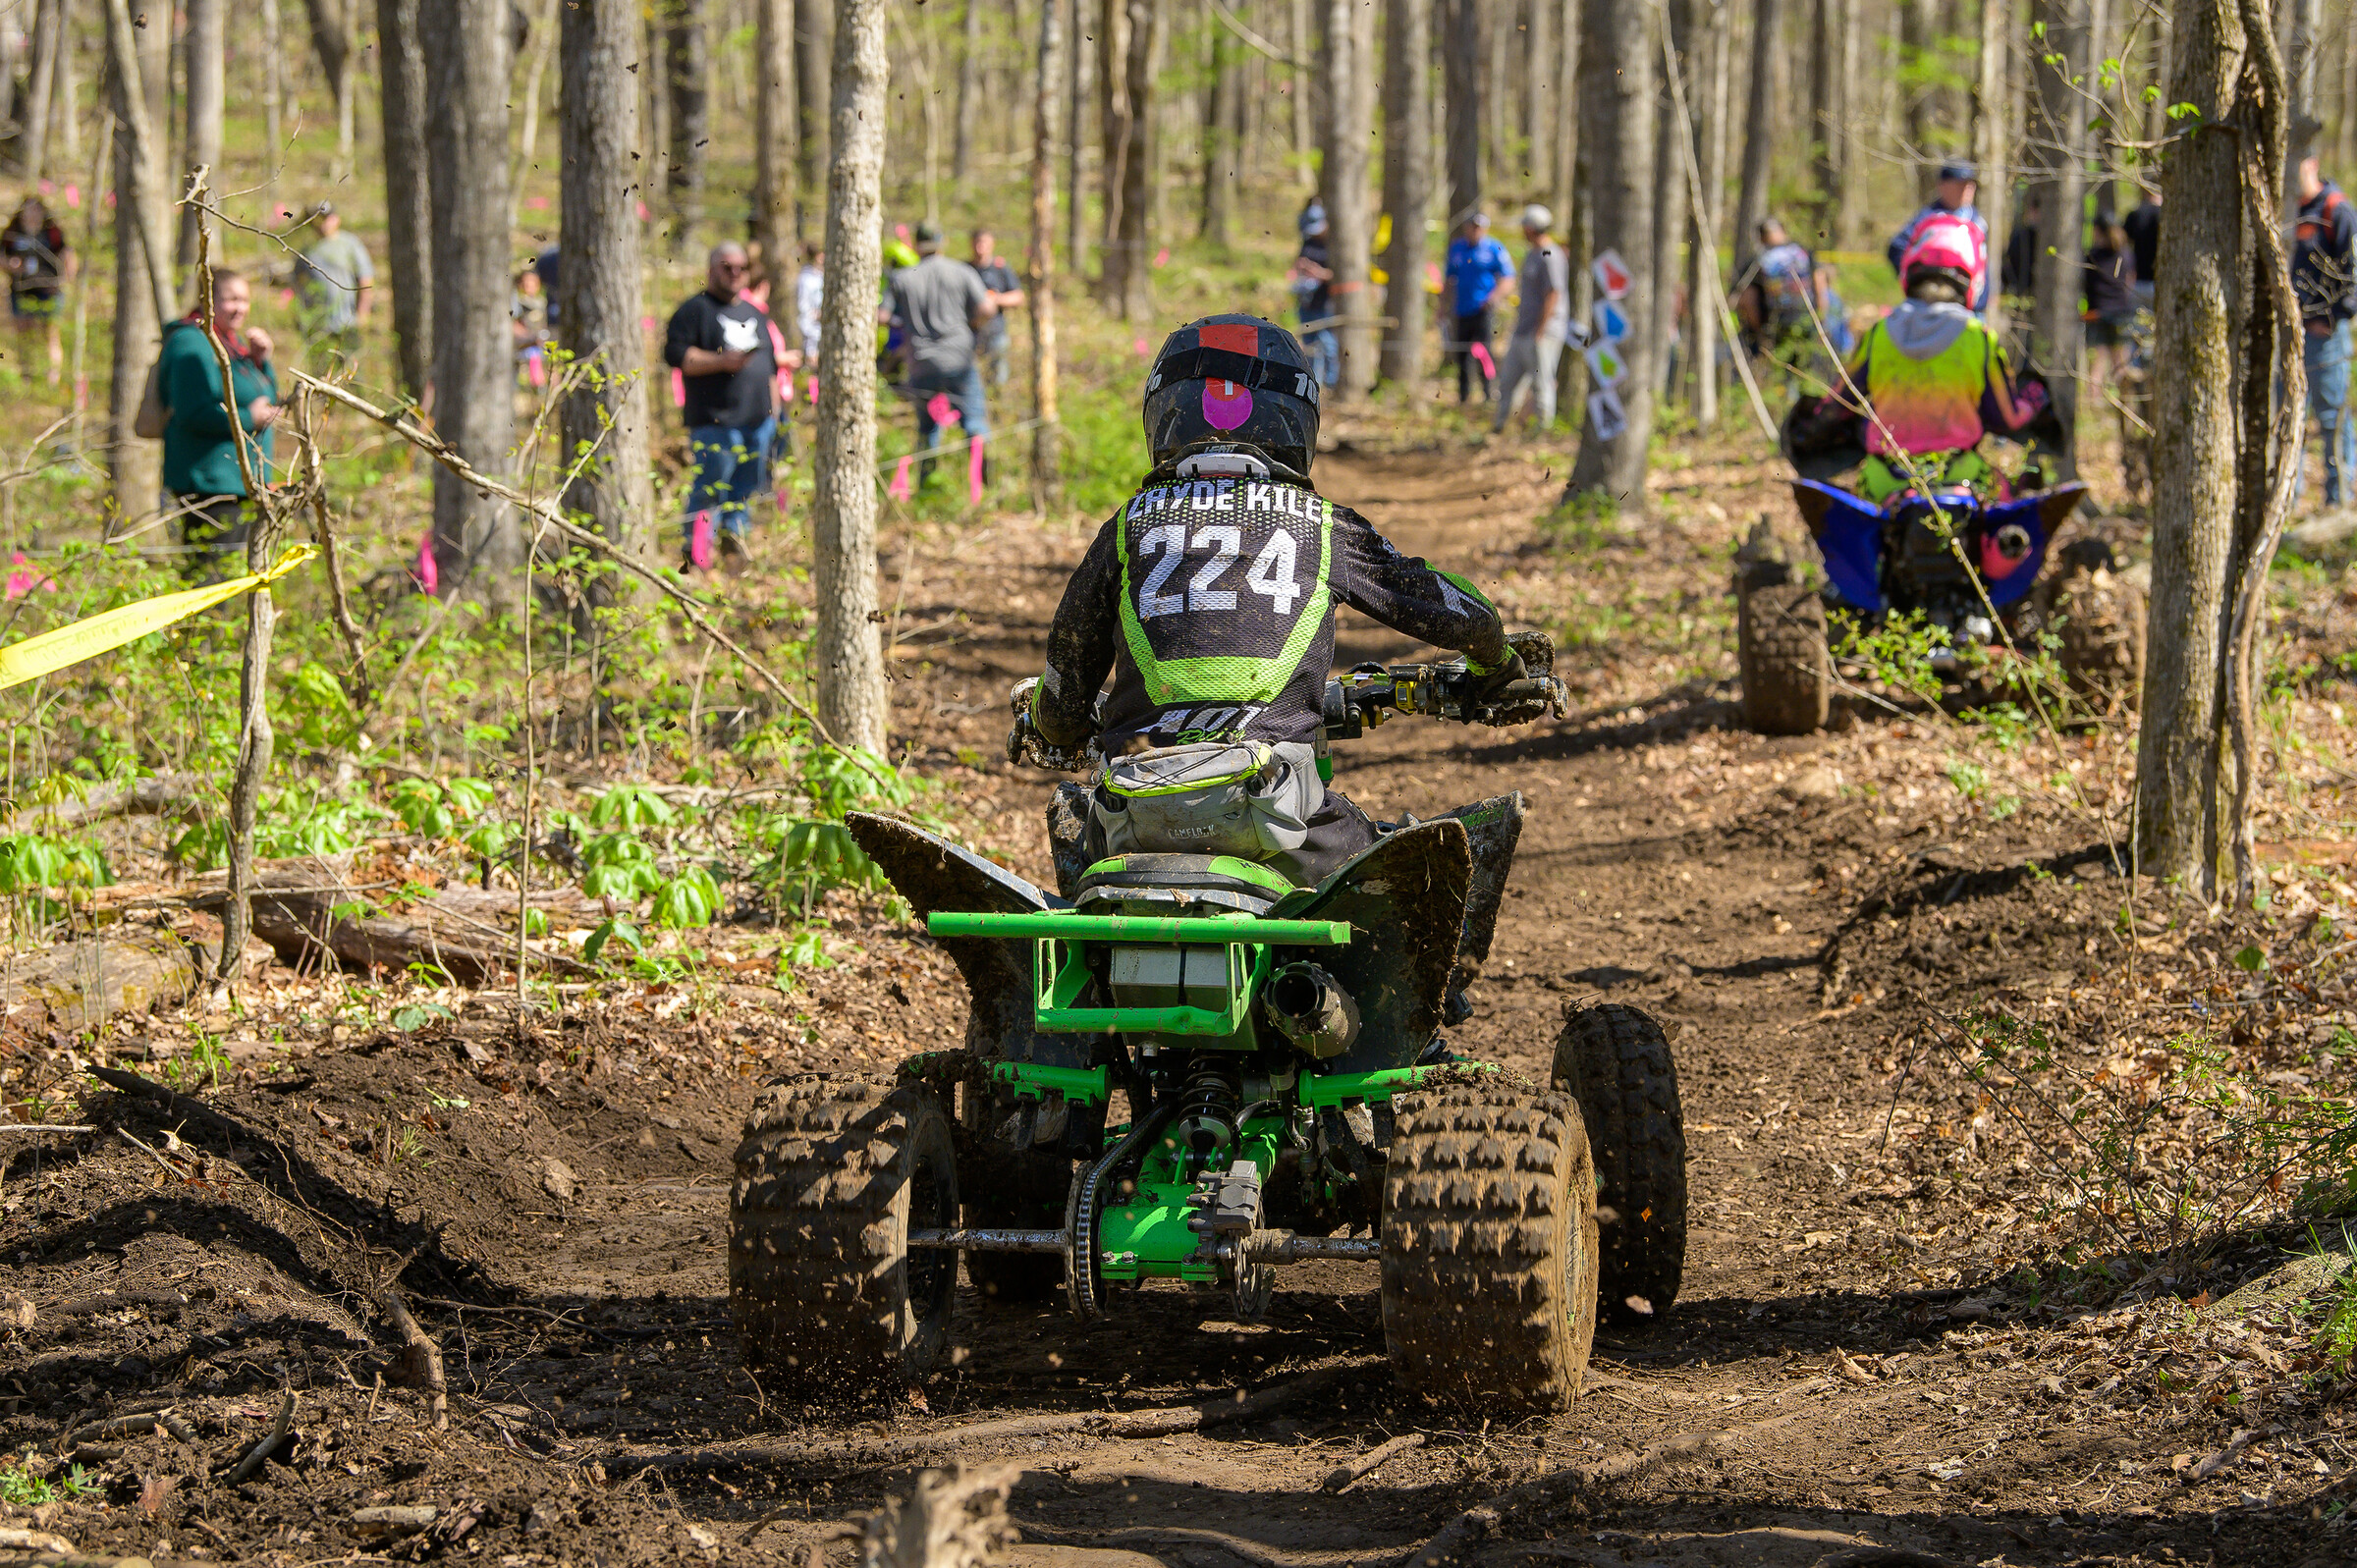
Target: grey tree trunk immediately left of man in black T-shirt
<point>597,286</point>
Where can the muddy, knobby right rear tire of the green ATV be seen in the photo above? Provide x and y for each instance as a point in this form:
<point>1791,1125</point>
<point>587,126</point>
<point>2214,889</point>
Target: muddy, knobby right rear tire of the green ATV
<point>1491,1249</point>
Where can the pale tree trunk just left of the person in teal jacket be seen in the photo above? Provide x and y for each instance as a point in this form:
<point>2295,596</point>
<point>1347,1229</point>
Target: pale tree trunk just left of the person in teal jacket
<point>143,74</point>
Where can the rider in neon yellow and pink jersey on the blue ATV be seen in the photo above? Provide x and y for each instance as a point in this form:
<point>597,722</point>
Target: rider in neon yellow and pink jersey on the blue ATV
<point>1936,378</point>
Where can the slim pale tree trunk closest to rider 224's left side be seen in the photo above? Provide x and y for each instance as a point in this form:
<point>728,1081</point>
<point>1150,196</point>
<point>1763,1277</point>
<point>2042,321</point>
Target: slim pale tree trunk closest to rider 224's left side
<point>847,652</point>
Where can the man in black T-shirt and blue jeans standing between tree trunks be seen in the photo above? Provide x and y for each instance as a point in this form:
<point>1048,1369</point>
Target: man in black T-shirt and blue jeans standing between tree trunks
<point>722,350</point>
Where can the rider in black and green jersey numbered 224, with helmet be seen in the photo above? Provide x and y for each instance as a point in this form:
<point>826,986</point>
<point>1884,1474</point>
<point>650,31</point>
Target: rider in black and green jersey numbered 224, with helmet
<point>1210,600</point>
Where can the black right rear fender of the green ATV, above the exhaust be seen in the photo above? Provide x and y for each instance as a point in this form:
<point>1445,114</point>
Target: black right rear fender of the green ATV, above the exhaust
<point>1406,902</point>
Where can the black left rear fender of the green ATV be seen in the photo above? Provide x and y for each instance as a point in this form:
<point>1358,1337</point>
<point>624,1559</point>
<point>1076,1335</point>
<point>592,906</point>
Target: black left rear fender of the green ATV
<point>939,876</point>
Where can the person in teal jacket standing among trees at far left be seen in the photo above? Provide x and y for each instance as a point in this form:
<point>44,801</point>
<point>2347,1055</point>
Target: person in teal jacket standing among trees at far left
<point>199,437</point>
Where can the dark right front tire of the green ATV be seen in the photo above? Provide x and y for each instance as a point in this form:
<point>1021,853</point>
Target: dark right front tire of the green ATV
<point>1616,1062</point>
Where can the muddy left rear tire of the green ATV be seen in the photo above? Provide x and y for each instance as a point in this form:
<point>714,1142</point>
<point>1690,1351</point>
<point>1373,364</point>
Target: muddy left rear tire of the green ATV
<point>831,1180</point>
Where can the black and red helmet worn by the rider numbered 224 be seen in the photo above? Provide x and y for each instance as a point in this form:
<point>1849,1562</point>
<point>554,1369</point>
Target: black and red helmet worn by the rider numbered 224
<point>1234,383</point>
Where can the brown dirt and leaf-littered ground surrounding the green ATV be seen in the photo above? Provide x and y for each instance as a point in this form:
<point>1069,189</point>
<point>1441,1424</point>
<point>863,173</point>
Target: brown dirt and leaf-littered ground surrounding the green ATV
<point>1920,1324</point>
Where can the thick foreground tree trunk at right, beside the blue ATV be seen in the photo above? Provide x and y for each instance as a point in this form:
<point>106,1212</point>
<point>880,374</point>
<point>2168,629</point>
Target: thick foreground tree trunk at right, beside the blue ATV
<point>2229,393</point>
